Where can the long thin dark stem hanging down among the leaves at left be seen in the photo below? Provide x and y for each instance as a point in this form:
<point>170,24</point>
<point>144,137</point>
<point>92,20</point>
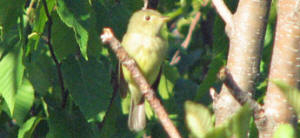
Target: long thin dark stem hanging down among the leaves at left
<point>64,92</point>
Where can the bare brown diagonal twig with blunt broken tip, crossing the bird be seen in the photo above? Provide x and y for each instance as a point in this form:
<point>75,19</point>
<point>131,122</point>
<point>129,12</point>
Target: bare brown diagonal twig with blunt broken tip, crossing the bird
<point>145,88</point>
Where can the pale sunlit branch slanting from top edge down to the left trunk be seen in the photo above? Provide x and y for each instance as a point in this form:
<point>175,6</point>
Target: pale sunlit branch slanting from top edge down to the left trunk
<point>224,12</point>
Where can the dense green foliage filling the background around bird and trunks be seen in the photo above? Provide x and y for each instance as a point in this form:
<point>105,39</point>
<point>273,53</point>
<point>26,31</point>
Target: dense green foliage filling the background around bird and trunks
<point>30,80</point>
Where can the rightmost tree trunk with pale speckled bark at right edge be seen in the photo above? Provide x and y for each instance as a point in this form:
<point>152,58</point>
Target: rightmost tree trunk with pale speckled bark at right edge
<point>284,65</point>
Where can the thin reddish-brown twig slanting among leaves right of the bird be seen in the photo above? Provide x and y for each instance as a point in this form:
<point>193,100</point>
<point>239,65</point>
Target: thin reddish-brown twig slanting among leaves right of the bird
<point>176,58</point>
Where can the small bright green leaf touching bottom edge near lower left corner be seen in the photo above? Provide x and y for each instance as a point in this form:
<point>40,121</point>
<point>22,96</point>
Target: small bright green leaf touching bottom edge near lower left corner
<point>28,127</point>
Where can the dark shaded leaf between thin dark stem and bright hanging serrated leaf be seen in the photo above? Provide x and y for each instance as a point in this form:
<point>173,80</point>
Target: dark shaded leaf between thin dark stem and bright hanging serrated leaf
<point>64,44</point>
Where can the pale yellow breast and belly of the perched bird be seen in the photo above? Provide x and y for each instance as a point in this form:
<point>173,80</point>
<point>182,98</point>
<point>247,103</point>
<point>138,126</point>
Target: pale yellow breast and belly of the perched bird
<point>148,52</point>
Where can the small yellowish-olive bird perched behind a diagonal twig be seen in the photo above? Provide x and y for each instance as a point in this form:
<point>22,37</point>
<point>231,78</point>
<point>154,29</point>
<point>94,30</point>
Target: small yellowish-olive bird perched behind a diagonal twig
<point>144,43</point>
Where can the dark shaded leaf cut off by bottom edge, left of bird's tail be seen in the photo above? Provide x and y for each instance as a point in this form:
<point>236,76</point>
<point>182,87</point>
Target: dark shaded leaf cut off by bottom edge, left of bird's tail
<point>68,125</point>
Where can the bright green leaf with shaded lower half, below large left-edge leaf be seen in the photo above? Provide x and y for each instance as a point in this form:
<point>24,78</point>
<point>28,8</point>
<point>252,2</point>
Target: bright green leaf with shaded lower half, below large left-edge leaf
<point>24,101</point>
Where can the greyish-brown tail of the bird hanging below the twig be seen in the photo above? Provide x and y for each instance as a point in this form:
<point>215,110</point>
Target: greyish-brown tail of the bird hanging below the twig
<point>137,117</point>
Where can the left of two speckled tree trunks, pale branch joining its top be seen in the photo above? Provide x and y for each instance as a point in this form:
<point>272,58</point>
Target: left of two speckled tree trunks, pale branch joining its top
<point>246,32</point>
